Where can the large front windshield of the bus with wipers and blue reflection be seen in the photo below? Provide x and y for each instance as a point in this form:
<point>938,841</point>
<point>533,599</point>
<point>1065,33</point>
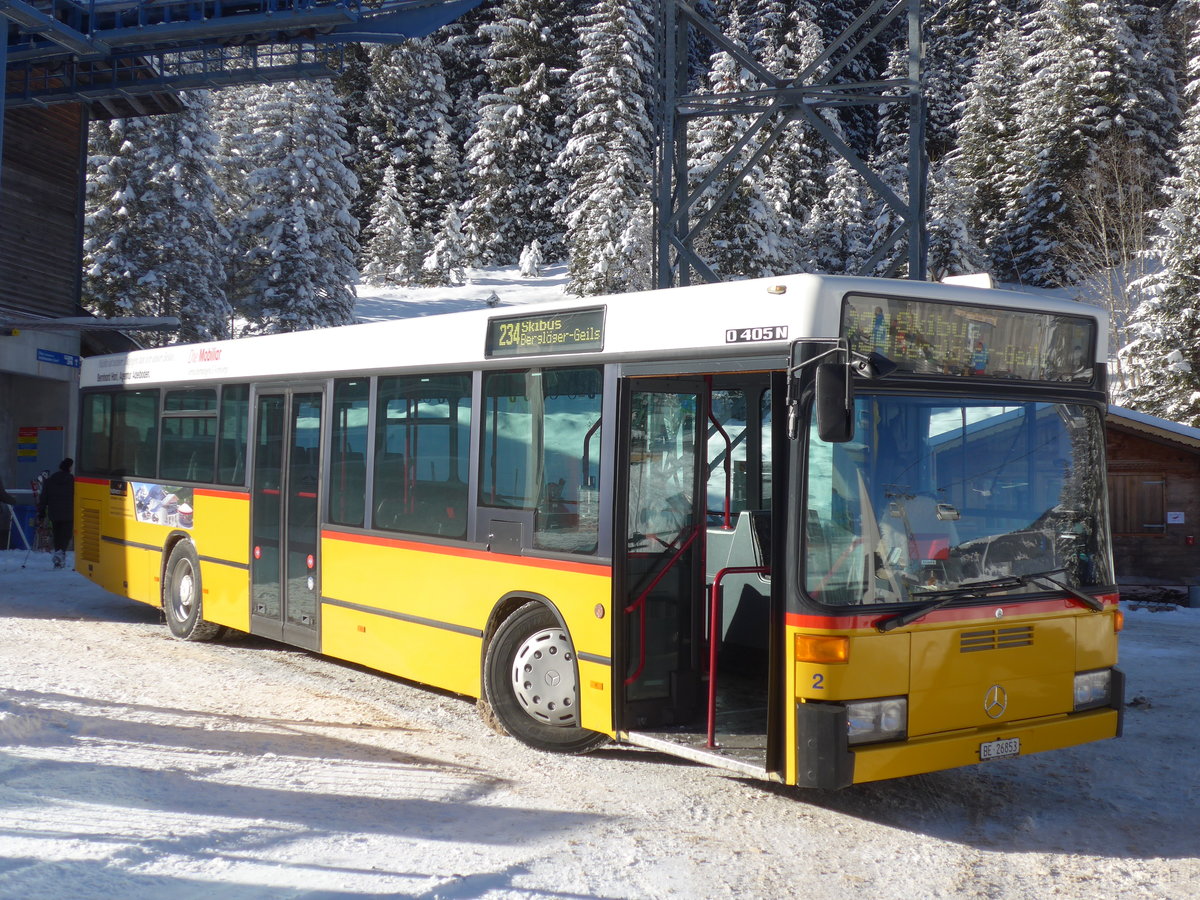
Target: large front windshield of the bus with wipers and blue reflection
<point>940,494</point>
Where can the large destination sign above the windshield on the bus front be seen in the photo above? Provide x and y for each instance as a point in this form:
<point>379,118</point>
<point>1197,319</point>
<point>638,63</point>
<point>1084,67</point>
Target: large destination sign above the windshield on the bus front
<point>928,338</point>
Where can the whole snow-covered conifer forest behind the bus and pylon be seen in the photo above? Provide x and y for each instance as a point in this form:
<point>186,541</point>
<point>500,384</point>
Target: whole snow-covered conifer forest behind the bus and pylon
<point>1063,141</point>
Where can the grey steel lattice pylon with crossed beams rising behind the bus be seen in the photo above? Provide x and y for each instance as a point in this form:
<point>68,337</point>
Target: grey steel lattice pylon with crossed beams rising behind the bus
<point>772,109</point>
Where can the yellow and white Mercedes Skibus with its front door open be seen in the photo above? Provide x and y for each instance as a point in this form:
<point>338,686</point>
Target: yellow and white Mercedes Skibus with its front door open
<point>820,531</point>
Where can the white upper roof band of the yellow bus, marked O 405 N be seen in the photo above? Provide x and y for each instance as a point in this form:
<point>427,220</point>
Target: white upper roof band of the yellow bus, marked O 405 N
<point>753,319</point>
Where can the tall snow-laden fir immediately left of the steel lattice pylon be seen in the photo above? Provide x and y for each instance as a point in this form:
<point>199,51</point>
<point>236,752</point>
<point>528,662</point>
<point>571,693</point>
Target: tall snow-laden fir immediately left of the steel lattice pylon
<point>610,155</point>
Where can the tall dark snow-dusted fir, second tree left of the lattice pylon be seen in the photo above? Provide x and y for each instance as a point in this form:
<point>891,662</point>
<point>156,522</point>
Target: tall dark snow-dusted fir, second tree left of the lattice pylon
<point>514,184</point>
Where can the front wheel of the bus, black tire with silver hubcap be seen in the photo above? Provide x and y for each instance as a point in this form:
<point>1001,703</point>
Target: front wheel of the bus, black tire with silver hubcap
<point>531,682</point>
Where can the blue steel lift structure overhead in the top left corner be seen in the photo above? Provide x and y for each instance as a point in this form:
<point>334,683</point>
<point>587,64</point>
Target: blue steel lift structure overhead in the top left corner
<point>129,57</point>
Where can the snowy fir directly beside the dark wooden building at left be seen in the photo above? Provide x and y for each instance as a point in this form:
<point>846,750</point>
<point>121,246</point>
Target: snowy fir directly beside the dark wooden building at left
<point>153,243</point>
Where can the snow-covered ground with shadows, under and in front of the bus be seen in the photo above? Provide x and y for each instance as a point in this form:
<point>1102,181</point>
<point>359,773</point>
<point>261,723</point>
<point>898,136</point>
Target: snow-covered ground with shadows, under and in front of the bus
<point>135,766</point>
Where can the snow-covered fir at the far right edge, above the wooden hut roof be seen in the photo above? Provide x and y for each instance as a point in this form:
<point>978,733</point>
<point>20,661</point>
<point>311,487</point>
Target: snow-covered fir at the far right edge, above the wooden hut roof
<point>1163,361</point>
